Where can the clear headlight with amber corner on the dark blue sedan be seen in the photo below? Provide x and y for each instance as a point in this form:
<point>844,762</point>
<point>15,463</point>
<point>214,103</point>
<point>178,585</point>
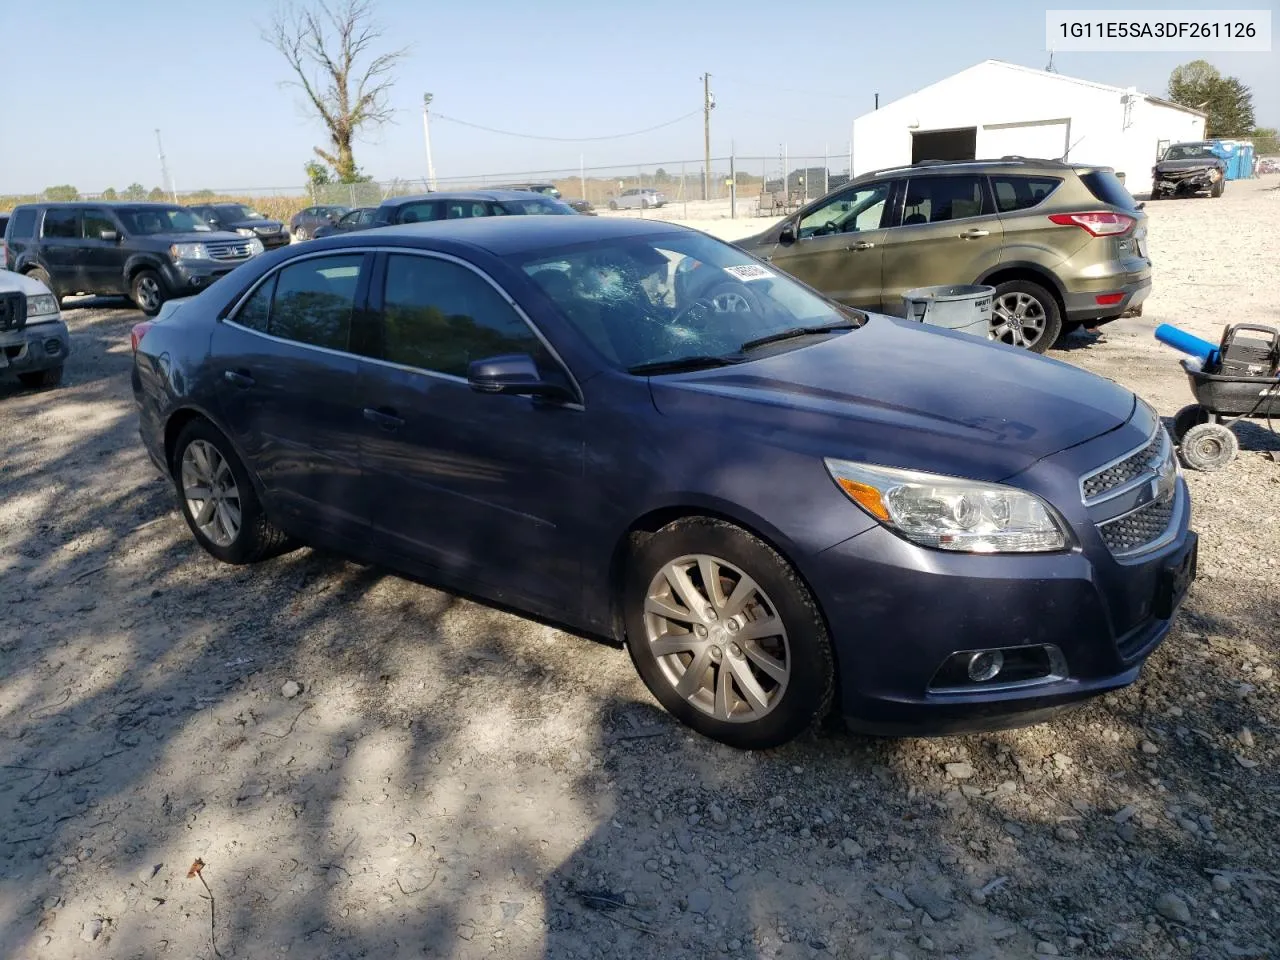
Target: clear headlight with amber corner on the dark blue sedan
<point>952,514</point>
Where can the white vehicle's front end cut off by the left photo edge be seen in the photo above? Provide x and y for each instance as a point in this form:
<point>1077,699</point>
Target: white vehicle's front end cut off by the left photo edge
<point>34,340</point>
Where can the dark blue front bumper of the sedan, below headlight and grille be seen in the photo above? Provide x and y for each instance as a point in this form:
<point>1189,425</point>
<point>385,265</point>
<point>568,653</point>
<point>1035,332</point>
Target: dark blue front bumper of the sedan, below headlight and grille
<point>899,612</point>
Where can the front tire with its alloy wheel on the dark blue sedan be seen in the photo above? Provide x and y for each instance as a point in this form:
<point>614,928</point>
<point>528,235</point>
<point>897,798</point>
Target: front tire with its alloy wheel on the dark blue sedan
<point>792,669</point>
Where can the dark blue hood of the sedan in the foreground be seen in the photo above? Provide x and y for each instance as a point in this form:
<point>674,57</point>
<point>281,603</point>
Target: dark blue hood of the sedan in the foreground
<point>902,395</point>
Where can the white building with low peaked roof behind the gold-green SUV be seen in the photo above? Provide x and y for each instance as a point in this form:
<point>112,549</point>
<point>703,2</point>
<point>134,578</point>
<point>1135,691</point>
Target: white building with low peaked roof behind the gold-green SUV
<point>999,109</point>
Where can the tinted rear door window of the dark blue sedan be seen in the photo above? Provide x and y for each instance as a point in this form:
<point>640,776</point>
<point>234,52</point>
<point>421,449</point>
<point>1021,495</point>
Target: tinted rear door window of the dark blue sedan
<point>314,300</point>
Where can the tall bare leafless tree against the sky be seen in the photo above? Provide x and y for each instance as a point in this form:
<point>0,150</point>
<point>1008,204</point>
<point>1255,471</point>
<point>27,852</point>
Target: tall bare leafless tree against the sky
<point>331,51</point>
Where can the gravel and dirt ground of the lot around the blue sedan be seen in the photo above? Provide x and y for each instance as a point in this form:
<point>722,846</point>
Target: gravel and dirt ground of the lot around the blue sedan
<point>454,781</point>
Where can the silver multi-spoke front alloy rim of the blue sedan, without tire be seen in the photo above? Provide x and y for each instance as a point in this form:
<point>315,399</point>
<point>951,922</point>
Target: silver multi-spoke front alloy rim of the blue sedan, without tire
<point>717,638</point>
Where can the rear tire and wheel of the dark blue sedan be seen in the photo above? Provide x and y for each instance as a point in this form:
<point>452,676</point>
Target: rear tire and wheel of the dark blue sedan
<point>250,541</point>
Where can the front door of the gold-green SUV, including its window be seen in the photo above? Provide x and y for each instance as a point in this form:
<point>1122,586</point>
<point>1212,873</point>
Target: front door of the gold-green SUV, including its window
<point>838,246</point>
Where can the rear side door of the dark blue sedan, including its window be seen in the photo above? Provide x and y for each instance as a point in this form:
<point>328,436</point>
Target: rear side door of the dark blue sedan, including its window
<point>287,390</point>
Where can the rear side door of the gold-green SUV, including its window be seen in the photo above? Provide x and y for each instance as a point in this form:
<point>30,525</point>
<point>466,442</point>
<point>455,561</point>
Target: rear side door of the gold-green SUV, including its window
<point>947,234</point>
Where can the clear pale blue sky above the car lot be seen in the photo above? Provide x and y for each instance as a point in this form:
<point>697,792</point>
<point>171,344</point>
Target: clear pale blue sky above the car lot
<point>103,77</point>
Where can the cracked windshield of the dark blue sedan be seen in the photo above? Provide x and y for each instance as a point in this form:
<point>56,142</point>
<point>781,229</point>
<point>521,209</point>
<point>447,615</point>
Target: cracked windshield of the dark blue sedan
<point>674,299</point>
